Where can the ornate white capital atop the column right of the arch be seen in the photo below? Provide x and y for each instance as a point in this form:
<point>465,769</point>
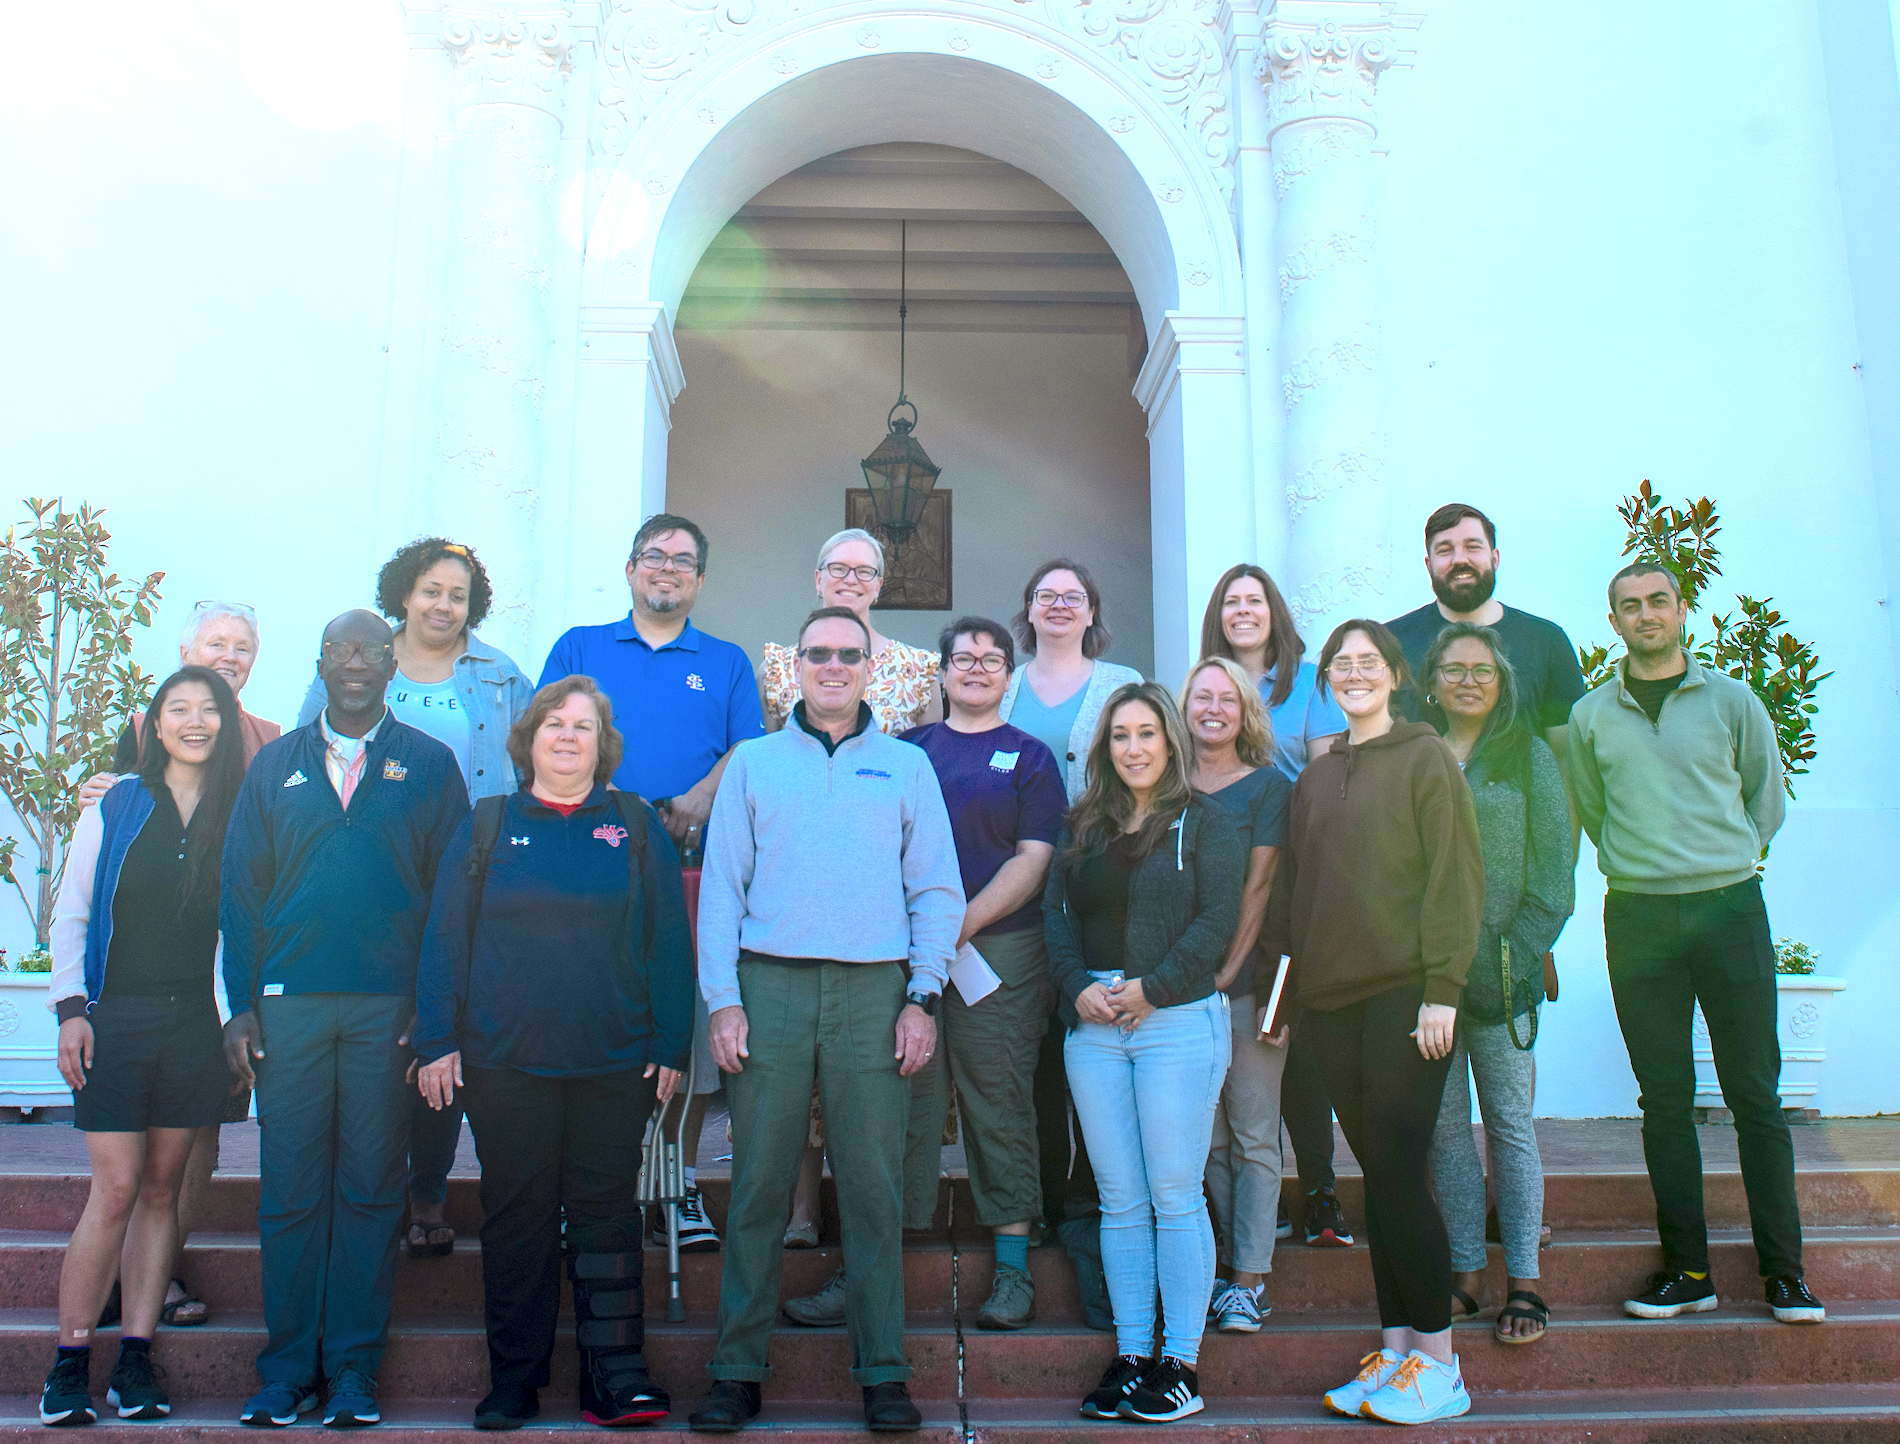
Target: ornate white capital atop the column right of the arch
<point>1321,60</point>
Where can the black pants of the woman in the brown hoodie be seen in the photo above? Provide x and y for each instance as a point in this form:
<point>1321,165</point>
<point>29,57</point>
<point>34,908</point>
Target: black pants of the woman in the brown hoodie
<point>1388,1097</point>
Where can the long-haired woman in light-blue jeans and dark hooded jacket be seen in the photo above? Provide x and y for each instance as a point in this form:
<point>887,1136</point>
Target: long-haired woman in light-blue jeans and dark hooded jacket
<point>1139,911</point>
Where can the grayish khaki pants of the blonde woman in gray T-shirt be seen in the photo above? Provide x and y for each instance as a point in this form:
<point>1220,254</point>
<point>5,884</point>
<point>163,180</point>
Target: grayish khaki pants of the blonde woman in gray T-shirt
<point>1244,1166</point>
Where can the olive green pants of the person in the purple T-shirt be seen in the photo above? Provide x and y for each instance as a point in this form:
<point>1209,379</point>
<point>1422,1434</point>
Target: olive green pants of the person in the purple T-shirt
<point>989,1054</point>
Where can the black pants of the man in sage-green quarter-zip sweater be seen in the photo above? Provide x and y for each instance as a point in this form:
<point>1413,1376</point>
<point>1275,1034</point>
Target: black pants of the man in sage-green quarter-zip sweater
<point>1667,953</point>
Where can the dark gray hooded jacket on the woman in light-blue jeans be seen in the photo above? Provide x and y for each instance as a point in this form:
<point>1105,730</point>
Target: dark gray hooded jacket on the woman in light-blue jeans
<point>1185,903</point>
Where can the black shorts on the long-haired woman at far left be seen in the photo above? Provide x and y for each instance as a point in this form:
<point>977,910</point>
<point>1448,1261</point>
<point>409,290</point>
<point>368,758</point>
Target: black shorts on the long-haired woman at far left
<point>159,1063</point>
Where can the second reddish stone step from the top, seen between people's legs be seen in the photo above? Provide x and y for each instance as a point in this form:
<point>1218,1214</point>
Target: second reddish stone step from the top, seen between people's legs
<point>1586,1268</point>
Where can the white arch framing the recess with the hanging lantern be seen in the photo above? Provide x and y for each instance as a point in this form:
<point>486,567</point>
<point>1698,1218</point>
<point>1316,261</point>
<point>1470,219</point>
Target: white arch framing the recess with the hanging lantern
<point>987,83</point>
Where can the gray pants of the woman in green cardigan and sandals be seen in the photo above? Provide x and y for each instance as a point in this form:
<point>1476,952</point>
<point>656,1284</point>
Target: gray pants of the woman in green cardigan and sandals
<point>1506,1093</point>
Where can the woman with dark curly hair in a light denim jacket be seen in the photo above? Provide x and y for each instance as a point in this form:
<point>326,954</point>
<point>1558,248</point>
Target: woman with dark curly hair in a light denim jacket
<point>466,694</point>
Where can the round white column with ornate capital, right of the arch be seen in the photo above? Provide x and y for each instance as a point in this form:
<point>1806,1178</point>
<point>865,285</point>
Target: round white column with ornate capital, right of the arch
<point>1321,64</point>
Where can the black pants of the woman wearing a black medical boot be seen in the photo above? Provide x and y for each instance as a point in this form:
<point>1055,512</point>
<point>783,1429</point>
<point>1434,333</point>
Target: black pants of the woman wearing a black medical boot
<point>552,1145</point>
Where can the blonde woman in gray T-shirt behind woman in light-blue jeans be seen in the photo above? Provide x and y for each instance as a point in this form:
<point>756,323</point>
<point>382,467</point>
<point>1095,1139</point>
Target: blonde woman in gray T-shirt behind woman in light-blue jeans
<point>1232,765</point>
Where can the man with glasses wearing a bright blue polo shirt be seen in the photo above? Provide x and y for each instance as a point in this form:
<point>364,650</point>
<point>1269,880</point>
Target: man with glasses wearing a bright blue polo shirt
<point>683,702</point>
